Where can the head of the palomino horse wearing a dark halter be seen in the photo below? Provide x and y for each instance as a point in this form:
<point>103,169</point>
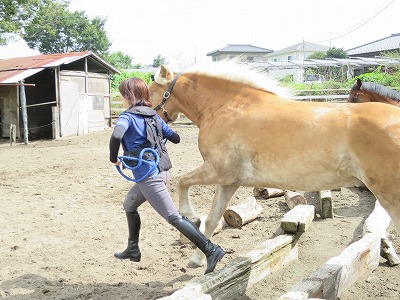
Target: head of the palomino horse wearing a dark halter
<point>161,94</point>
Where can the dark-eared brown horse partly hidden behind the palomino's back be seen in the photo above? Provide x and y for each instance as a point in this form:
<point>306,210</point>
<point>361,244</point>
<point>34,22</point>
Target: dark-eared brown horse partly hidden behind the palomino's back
<point>373,92</point>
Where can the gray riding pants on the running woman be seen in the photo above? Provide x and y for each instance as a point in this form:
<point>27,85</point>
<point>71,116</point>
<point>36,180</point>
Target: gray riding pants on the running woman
<point>155,191</point>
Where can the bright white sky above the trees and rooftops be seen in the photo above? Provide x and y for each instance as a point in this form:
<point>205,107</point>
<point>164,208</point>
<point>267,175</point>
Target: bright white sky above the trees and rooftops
<point>184,31</point>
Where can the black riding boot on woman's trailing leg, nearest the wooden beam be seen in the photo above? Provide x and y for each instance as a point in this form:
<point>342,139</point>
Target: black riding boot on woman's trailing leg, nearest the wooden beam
<point>214,253</point>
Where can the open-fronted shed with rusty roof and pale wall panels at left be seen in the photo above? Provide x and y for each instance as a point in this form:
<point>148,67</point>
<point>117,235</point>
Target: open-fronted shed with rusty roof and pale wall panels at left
<point>55,95</point>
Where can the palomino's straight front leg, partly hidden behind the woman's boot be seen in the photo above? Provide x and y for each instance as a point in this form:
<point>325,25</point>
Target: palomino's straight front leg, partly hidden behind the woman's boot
<point>222,196</point>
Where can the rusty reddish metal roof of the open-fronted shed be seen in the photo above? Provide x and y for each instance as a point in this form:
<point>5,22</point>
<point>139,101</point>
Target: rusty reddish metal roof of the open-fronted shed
<point>13,70</point>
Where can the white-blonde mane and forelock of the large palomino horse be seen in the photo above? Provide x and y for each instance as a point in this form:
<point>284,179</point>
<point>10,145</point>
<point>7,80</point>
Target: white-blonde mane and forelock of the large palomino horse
<point>233,71</point>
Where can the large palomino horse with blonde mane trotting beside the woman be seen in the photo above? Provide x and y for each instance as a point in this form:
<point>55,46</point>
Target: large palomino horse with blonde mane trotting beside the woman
<point>250,135</point>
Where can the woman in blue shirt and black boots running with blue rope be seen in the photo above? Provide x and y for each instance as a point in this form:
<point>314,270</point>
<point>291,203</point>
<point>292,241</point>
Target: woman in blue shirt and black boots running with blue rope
<point>137,128</point>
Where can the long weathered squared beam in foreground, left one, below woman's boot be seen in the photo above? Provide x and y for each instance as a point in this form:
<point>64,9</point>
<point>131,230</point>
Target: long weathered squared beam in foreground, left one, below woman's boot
<point>241,273</point>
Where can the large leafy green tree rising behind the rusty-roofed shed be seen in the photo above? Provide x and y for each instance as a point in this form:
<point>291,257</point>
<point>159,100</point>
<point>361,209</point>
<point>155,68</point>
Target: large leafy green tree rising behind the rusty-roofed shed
<point>54,29</point>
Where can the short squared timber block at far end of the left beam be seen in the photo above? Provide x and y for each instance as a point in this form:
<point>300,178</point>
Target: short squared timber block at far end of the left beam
<point>298,219</point>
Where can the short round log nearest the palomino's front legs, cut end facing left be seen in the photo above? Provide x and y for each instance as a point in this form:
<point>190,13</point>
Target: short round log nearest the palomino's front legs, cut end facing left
<point>238,215</point>
